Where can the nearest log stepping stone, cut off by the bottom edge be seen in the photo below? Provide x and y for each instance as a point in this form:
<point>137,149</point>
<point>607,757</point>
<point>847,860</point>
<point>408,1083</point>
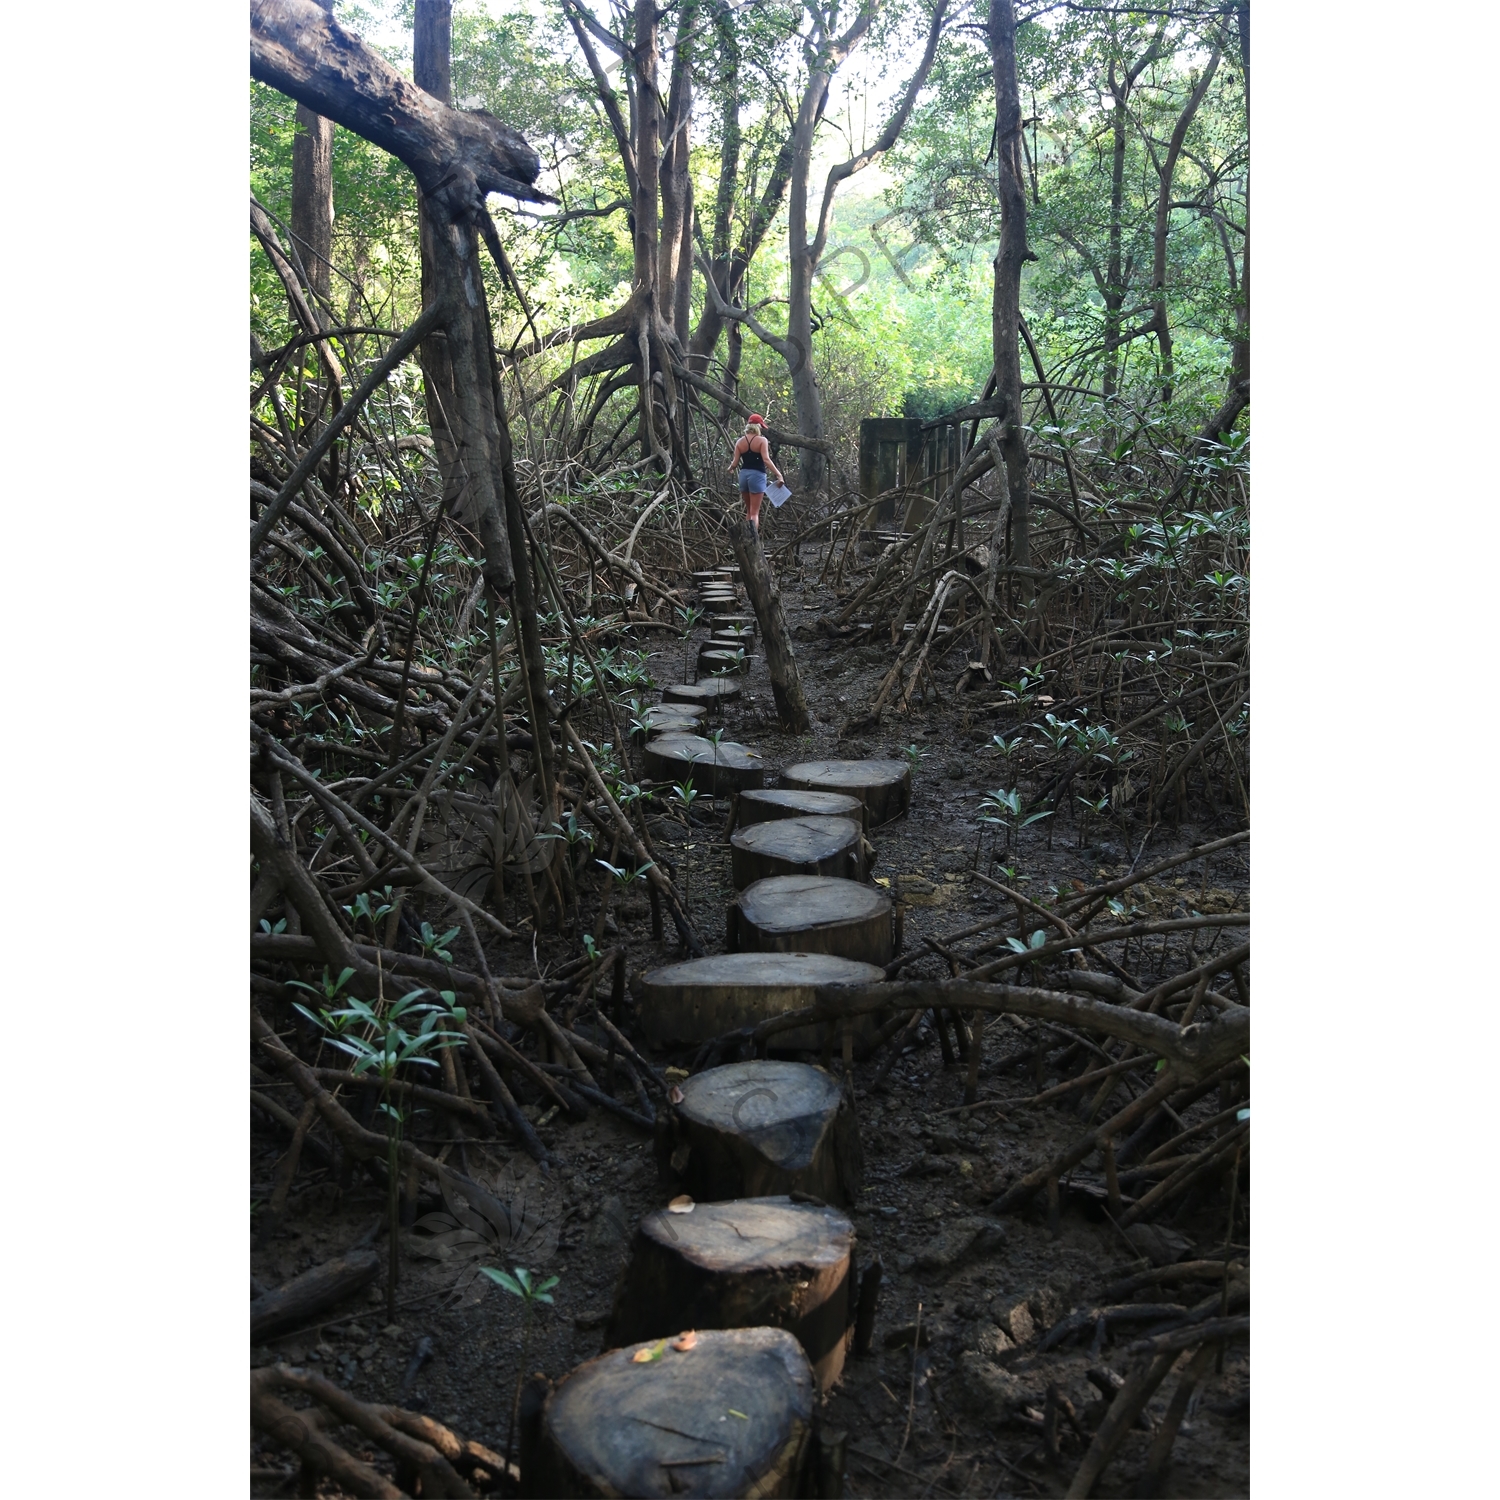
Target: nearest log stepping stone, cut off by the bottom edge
<point>731,1417</point>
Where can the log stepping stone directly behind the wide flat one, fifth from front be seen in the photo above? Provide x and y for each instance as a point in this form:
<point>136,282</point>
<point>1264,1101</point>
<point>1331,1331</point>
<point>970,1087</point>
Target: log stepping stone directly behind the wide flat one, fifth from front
<point>812,914</point>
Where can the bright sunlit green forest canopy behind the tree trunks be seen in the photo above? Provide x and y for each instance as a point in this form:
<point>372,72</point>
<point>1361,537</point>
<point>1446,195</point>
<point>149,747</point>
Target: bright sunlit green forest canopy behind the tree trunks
<point>910,241</point>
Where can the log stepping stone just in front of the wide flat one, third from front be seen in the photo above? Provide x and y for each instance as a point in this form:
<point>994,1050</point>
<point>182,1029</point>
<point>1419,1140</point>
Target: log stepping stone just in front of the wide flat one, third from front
<point>764,1129</point>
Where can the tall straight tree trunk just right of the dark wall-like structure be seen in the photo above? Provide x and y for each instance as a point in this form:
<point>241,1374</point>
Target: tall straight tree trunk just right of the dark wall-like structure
<point>1009,260</point>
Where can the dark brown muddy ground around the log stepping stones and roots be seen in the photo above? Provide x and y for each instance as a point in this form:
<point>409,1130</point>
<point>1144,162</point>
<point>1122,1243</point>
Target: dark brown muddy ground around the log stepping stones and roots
<point>962,1415</point>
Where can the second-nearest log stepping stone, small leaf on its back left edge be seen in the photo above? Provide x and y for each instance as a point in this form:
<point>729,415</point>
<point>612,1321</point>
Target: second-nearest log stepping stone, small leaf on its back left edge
<point>745,1264</point>
